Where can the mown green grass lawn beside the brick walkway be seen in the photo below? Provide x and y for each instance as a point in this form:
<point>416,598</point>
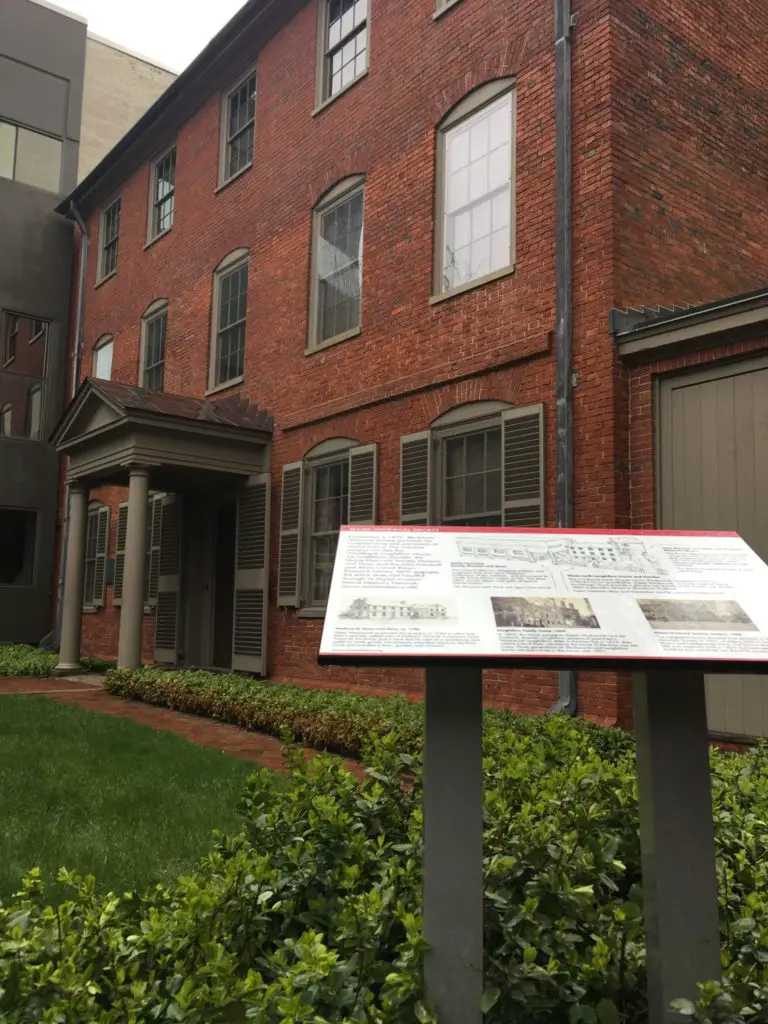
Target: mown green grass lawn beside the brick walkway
<point>103,796</point>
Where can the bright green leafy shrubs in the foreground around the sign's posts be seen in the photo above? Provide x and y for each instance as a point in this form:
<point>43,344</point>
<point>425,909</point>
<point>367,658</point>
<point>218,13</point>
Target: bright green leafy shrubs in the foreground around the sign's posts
<point>313,914</point>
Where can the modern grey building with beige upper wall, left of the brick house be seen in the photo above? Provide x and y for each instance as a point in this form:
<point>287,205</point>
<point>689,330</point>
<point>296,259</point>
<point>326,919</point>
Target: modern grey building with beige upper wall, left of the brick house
<point>45,54</point>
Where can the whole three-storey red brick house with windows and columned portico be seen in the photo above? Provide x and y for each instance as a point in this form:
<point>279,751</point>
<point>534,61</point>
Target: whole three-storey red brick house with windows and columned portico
<point>347,216</point>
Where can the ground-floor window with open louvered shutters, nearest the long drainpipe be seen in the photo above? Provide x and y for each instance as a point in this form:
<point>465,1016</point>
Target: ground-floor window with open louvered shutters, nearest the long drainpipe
<point>479,465</point>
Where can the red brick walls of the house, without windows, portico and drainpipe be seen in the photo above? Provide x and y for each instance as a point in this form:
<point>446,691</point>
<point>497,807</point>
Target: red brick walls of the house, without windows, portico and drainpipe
<point>669,131</point>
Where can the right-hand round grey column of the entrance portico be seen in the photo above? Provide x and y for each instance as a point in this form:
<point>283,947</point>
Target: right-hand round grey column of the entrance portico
<point>130,645</point>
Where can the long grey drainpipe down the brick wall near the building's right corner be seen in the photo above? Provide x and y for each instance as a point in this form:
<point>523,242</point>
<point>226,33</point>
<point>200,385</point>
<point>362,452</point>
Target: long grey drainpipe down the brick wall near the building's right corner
<point>567,681</point>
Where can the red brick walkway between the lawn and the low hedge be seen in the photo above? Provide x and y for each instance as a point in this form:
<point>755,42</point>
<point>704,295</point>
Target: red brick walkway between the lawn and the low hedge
<point>219,736</point>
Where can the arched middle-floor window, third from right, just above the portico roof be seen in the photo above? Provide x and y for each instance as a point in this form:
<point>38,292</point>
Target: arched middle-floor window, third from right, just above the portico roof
<point>231,301</point>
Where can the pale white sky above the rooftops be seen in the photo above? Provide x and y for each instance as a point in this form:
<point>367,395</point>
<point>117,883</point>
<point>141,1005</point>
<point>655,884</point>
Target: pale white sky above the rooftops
<point>170,32</point>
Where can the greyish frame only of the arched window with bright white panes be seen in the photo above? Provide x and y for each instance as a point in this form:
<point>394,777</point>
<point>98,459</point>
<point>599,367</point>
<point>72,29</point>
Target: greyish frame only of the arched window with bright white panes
<point>485,97</point>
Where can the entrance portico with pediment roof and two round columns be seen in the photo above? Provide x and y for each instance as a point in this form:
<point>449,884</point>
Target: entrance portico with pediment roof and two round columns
<point>202,451</point>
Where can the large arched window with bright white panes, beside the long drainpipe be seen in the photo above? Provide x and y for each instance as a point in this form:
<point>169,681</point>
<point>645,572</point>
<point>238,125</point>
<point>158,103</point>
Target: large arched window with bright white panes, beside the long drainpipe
<point>476,218</point>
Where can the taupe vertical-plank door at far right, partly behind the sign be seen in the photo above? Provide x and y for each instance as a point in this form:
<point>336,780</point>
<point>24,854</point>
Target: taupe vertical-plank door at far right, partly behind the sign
<point>713,465</point>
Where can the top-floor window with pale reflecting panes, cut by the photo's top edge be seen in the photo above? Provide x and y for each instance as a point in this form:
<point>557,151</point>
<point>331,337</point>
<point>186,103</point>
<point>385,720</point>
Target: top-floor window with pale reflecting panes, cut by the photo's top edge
<point>343,46</point>
